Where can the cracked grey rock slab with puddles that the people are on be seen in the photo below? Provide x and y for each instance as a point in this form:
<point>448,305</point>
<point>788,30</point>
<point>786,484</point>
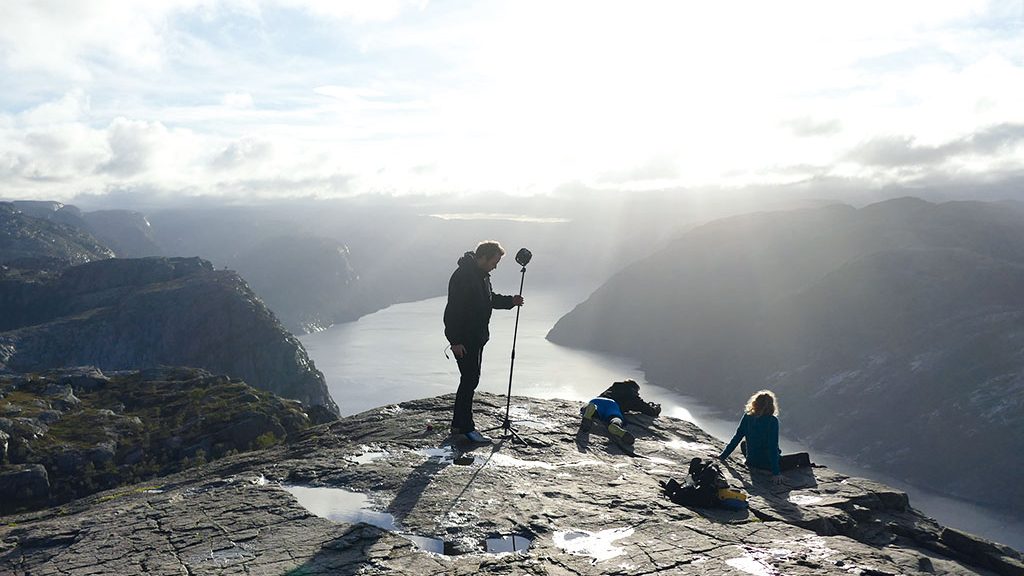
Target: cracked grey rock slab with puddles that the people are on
<point>577,504</point>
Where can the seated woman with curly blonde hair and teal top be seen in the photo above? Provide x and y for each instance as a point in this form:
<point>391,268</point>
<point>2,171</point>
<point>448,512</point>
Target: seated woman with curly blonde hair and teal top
<point>760,429</point>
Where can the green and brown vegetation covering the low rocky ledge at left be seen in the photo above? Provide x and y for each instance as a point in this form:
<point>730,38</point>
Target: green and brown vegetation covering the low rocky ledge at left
<point>133,429</point>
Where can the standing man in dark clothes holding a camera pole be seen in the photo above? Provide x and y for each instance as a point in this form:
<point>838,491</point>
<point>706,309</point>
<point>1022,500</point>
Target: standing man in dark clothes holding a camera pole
<point>466,318</point>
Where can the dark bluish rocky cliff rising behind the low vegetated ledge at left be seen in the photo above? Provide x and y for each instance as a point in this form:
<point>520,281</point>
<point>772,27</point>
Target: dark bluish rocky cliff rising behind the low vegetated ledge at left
<point>132,314</point>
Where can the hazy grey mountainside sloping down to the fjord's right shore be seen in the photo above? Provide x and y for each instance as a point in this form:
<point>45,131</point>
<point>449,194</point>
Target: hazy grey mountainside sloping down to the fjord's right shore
<point>886,331</point>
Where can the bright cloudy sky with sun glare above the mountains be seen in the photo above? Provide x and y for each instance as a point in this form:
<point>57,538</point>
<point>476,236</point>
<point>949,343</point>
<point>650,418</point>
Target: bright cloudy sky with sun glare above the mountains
<point>254,99</point>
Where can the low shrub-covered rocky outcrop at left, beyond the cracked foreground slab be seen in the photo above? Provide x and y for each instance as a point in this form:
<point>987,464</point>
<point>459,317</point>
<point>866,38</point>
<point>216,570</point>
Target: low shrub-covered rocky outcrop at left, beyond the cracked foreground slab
<point>73,433</point>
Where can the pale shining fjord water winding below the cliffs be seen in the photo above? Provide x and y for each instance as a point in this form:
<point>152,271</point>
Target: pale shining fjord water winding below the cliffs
<point>398,355</point>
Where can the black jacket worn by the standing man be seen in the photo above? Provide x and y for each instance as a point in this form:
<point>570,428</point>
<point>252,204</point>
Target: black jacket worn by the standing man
<point>471,302</point>
